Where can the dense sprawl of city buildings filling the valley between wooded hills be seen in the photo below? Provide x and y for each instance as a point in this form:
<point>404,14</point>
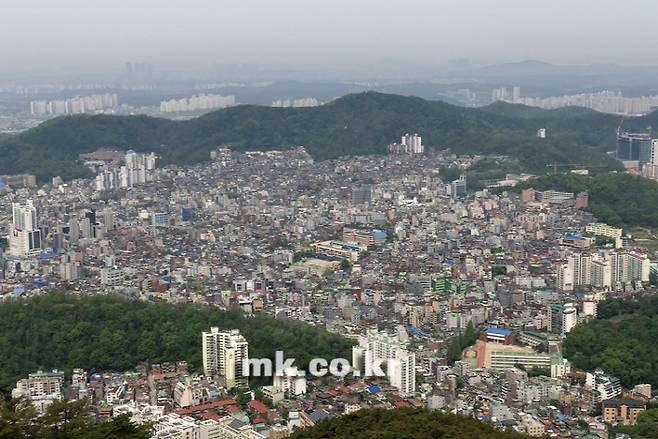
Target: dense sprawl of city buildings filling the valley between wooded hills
<point>471,292</point>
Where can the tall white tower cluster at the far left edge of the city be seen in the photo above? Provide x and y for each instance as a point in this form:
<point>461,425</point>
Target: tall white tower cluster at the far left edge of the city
<point>24,234</point>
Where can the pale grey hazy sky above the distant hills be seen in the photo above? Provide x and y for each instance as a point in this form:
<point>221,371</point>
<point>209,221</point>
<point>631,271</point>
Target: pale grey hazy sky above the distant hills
<point>95,35</point>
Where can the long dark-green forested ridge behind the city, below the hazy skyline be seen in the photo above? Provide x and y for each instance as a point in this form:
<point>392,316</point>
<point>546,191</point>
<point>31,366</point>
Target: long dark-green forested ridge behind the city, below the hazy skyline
<point>355,124</point>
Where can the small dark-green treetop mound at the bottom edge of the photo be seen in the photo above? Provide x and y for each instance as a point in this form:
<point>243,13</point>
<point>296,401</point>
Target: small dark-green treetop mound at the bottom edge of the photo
<point>402,424</point>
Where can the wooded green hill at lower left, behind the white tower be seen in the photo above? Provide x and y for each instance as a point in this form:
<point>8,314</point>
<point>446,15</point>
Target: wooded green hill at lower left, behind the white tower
<point>110,333</point>
